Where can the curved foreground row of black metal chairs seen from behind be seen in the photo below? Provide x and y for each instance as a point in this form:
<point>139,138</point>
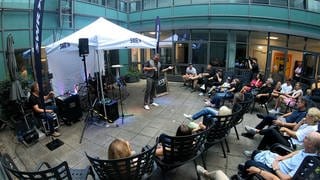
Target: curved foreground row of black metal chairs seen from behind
<point>176,152</point>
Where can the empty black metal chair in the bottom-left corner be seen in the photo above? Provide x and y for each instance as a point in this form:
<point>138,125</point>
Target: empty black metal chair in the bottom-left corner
<point>61,171</point>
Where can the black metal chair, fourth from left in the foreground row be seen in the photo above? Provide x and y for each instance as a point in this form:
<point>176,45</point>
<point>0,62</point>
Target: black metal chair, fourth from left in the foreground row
<point>220,130</point>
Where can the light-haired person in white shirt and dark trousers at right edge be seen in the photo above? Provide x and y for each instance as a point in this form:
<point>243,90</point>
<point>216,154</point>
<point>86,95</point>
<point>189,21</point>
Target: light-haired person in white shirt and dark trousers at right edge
<point>290,137</point>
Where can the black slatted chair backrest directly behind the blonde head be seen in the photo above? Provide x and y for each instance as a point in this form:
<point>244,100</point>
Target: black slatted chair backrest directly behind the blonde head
<point>133,167</point>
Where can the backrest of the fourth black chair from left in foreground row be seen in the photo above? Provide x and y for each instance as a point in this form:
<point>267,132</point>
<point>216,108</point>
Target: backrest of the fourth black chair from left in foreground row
<point>221,128</point>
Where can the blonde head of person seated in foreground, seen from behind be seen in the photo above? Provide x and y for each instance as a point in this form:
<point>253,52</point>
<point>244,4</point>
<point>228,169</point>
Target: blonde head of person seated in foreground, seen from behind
<point>119,148</point>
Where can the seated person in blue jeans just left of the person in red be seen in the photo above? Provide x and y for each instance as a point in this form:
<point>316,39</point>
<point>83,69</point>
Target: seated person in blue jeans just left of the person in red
<point>224,93</point>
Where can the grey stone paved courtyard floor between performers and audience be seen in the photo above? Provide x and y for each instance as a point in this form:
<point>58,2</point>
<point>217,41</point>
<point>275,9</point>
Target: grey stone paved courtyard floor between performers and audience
<point>140,129</point>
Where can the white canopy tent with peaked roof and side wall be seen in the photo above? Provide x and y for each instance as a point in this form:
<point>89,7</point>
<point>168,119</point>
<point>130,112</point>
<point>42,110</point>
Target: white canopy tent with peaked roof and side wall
<point>63,56</point>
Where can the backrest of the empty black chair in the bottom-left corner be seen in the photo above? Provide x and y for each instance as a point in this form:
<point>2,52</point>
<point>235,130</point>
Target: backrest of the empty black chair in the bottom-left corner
<point>60,172</point>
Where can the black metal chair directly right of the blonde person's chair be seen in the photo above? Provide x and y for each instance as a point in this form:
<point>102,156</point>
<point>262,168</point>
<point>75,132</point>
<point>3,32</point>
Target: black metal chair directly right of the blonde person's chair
<point>179,150</point>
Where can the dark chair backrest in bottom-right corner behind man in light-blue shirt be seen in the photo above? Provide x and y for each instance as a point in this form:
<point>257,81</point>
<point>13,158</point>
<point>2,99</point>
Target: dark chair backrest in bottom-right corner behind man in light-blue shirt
<point>309,169</point>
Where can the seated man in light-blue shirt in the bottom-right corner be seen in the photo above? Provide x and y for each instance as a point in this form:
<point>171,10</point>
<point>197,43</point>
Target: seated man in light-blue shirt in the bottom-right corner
<point>270,165</point>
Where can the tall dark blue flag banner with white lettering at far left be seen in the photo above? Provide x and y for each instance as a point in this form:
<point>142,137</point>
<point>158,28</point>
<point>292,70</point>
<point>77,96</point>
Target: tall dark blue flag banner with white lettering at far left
<point>37,35</point>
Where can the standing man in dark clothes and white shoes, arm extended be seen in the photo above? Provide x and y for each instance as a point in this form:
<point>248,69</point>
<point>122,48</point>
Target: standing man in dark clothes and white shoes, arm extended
<point>151,70</point>
